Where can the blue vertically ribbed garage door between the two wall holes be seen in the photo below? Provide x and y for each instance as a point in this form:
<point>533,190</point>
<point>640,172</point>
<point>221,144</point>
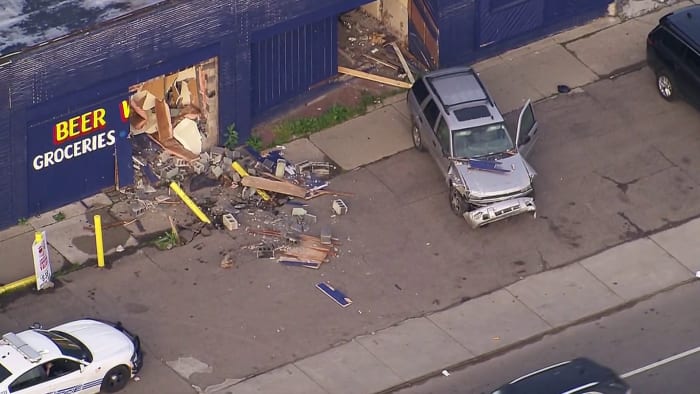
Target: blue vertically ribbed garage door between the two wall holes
<point>288,63</point>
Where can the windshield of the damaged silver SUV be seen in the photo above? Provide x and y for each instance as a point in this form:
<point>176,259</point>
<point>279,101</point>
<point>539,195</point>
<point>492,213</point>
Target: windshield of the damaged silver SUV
<point>481,141</point>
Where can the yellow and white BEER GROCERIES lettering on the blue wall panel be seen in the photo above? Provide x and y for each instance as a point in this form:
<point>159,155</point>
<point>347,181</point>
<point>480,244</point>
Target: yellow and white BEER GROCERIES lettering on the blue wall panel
<point>80,135</point>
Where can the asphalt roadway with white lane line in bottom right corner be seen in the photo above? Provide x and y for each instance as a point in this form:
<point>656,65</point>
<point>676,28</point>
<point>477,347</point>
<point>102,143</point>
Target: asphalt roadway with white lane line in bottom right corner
<point>628,340</point>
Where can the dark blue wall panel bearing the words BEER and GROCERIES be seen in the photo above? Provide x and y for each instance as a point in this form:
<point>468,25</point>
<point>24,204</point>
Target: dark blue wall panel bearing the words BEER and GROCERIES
<point>77,154</point>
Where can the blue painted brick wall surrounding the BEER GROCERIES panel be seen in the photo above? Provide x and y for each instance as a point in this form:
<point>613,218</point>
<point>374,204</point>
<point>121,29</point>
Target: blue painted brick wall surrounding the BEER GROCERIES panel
<point>66,76</point>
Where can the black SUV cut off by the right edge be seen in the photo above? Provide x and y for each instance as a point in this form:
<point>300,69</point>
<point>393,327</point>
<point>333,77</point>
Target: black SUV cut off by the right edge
<point>673,52</point>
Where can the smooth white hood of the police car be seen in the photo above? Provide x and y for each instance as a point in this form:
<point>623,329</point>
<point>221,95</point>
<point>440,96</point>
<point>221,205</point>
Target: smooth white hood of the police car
<point>103,340</point>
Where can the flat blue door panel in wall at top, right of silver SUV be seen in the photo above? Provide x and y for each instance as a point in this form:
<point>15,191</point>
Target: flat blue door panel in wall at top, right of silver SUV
<point>501,20</point>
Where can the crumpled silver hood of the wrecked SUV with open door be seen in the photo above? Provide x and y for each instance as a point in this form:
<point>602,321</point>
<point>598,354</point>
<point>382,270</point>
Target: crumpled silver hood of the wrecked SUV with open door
<point>485,184</point>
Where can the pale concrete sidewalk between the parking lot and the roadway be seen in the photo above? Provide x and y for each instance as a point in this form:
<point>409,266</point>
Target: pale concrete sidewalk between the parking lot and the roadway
<point>422,347</point>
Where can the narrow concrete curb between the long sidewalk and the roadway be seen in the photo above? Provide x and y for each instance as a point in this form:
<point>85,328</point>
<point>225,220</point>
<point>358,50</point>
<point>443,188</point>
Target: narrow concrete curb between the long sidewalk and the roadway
<point>533,338</point>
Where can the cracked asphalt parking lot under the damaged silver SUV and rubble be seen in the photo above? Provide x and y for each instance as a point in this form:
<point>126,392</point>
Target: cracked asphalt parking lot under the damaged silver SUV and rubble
<point>615,161</point>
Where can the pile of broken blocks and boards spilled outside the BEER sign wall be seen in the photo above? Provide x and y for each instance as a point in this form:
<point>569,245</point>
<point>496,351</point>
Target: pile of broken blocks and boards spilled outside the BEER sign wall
<point>261,192</point>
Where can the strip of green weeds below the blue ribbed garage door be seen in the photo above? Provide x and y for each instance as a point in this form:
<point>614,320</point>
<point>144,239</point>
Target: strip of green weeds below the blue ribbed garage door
<point>302,127</point>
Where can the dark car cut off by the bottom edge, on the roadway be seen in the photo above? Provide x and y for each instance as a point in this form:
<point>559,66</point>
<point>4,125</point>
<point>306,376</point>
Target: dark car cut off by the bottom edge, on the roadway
<point>578,376</point>
